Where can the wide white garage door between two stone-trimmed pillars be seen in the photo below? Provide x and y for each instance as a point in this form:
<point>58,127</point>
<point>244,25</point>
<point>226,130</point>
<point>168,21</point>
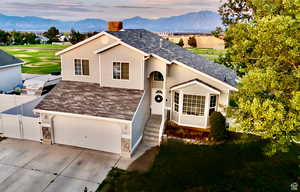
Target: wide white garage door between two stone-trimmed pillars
<point>92,134</point>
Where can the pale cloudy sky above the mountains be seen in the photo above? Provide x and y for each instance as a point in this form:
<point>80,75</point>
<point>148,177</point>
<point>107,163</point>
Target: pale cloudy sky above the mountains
<point>104,9</point>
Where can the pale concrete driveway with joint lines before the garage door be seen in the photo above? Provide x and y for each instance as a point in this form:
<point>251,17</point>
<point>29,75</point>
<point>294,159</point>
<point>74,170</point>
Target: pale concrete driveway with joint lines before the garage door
<point>27,166</point>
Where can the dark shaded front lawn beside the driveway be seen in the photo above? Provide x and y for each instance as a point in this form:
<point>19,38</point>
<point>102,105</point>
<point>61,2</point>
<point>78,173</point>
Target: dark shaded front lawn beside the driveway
<point>236,166</point>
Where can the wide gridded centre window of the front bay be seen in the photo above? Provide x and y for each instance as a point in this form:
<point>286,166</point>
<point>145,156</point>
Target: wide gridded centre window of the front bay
<point>193,105</point>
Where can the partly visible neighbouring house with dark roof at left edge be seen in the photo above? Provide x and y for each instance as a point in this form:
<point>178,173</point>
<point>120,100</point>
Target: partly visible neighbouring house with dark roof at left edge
<point>10,72</point>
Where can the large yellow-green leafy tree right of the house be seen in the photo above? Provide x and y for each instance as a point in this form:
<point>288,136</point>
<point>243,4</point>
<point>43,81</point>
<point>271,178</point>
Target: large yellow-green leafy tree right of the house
<point>266,53</point>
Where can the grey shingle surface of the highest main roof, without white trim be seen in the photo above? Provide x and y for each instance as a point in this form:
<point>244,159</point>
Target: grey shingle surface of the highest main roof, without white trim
<point>149,43</point>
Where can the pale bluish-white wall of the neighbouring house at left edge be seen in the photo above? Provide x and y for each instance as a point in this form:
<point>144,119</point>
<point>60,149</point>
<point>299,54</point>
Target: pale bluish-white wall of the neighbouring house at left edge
<point>10,78</point>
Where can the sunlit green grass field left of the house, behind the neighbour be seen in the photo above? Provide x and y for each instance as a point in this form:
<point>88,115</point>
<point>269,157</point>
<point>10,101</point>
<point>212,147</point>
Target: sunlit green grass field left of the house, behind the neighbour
<point>40,59</point>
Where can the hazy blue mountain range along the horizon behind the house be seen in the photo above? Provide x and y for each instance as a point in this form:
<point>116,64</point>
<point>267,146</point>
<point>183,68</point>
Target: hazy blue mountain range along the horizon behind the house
<point>203,21</point>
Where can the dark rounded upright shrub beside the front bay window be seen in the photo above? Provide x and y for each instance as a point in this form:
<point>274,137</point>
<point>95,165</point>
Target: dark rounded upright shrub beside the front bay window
<point>218,126</point>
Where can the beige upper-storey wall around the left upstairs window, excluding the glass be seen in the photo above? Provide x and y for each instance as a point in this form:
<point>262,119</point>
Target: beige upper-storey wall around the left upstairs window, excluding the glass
<point>85,51</point>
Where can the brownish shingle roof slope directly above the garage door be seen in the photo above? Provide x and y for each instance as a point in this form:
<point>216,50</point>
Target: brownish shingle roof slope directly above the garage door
<point>91,99</point>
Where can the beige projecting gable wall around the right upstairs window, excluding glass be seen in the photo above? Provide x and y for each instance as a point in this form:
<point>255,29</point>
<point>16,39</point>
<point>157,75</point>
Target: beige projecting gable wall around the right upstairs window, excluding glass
<point>122,54</point>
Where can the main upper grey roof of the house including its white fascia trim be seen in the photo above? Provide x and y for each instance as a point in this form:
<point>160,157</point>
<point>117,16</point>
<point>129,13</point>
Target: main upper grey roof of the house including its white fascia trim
<point>149,43</point>
